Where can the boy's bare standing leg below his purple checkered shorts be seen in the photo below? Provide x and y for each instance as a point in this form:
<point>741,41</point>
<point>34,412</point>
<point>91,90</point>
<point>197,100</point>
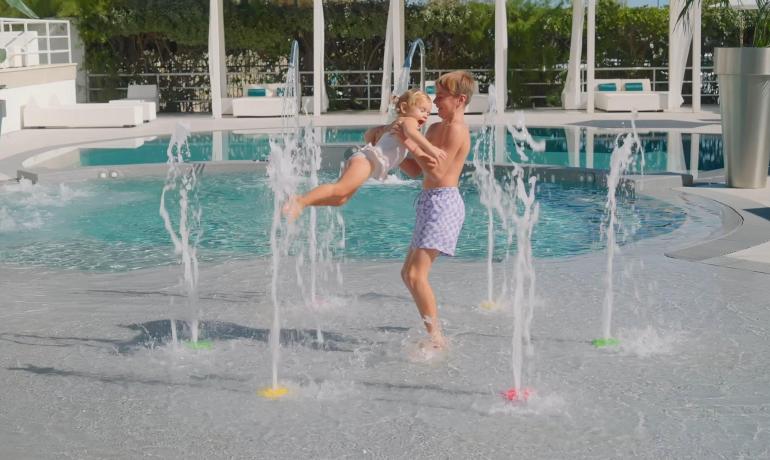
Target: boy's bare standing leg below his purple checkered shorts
<point>415,275</point>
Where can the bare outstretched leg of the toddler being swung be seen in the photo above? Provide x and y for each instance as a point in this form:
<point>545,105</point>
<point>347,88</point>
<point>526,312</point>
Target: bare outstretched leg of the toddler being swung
<point>357,170</point>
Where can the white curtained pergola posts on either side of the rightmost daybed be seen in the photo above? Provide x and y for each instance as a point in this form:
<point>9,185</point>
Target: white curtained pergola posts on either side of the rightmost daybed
<point>681,35</point>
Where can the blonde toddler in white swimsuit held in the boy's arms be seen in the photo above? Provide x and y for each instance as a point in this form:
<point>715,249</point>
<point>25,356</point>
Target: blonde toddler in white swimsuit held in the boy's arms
<point>383,153</point>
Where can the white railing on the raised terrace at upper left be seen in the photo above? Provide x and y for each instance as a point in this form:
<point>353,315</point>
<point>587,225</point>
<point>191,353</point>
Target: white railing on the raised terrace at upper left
<point>30,42</point>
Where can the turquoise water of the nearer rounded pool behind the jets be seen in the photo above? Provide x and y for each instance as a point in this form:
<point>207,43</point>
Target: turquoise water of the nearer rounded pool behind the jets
<point>113,225</point>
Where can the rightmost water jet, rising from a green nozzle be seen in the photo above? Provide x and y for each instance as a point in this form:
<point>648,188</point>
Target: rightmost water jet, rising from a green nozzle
<point>626,146</point>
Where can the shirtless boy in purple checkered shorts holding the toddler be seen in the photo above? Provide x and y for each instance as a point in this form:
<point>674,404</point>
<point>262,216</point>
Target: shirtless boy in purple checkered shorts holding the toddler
<point>440,208</point>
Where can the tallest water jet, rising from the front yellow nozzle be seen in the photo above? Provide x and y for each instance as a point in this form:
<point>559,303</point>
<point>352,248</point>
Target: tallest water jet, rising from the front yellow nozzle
<point>283,174</point>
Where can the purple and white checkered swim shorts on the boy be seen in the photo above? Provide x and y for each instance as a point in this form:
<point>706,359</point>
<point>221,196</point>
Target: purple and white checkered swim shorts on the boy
<point>440,216</point>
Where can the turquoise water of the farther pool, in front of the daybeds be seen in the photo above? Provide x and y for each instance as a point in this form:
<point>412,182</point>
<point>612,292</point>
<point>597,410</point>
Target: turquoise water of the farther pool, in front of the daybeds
<point>255,147</point>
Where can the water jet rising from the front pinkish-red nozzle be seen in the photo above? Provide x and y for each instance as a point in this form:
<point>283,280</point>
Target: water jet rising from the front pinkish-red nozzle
<point>524,213</point>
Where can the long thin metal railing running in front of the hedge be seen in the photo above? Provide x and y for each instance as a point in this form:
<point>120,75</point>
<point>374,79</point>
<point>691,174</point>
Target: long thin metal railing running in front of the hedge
<point>361,89</point>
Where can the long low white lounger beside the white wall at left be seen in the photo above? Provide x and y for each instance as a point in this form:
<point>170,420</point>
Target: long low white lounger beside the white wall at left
<point>54,115</point>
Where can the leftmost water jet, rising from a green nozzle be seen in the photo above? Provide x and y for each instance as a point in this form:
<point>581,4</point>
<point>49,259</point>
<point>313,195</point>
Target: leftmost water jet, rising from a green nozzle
<point>183,178</point>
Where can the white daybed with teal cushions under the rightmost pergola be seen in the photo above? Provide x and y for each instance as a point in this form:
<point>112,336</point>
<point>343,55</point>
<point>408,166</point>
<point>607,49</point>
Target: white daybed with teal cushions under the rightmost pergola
<point>625,95</point>
